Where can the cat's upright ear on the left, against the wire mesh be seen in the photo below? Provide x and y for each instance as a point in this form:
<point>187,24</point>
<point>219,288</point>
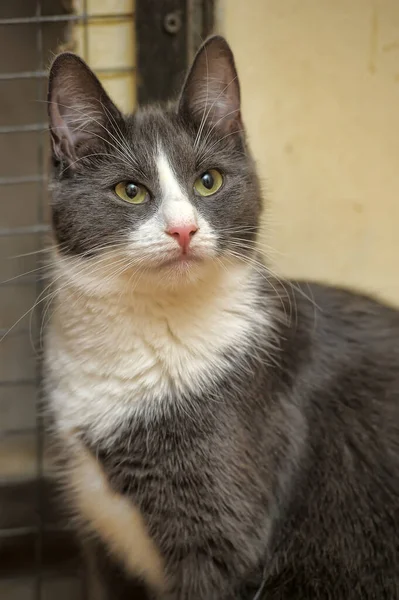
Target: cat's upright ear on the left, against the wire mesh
<point>79,108</point>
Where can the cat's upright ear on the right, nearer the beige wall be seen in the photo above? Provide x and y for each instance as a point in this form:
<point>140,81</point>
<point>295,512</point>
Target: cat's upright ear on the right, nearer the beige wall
<point>211,92</point>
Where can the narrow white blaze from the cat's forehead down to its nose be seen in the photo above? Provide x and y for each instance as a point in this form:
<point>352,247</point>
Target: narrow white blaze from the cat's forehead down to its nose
<point>176,208</point>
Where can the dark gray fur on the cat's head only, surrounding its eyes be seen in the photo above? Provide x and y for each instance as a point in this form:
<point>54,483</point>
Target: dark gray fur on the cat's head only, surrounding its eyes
<point>87,213</point>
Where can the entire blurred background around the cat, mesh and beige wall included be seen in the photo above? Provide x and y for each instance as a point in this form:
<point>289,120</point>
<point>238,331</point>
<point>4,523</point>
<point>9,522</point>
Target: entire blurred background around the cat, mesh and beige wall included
<point>320,87</point>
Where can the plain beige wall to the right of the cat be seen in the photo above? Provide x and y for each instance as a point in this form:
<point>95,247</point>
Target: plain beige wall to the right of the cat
<point>320,84</point>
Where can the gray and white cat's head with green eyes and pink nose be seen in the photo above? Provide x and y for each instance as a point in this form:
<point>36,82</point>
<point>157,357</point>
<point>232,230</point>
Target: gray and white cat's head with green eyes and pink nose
<point>167,193</point>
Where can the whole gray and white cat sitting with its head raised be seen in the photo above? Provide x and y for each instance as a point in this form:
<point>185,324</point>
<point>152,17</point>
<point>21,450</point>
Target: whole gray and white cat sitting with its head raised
<point>223,435</point>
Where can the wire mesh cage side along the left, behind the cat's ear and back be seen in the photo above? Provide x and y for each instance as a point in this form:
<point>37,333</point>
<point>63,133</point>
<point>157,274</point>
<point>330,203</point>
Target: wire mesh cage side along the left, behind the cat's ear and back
<point>38,557</point>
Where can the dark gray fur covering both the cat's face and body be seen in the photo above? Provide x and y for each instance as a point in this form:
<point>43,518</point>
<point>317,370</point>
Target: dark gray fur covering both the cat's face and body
<point>291,472</point>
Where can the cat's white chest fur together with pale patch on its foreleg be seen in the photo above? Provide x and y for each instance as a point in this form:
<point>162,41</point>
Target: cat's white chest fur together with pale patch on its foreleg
<point>110,354</point>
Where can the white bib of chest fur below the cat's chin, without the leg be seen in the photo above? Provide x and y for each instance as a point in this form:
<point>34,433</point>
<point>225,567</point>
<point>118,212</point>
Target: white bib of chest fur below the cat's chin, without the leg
<point>108,356</point>
